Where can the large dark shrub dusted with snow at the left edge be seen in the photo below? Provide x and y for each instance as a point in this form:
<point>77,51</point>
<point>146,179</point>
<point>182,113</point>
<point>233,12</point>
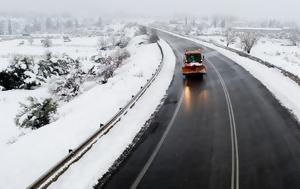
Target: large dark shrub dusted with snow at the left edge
<point>21,74</point>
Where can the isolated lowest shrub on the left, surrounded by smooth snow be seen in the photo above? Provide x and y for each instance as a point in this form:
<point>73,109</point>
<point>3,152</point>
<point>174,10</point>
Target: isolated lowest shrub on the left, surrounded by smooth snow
<point>36,113</point>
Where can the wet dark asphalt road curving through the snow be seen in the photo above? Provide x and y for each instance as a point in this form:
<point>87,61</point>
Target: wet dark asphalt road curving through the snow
<point>223,131</point>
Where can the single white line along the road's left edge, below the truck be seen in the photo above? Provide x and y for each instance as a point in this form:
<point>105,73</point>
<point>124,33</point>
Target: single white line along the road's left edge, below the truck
<point>157,148</point>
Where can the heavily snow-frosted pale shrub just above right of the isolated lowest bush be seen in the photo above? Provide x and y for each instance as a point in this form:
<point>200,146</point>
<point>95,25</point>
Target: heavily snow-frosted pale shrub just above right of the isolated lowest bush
<point>66,87</point>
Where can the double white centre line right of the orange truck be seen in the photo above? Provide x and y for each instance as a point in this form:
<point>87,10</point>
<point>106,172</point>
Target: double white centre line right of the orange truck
<point>234,143</point>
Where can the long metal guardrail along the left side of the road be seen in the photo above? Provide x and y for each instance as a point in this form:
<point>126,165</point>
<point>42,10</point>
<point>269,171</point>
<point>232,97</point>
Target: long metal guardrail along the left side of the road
<point>57,170</point>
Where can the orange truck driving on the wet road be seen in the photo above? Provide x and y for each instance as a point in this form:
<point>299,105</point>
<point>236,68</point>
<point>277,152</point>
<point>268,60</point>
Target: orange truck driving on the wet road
<point>193,63</point>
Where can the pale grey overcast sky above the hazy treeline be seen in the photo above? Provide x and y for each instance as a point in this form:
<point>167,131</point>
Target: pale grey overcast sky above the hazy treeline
<point>250,9</point>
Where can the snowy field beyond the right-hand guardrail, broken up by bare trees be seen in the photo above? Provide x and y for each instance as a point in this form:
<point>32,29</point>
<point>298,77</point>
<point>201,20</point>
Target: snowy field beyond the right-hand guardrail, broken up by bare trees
<point>276,51</point>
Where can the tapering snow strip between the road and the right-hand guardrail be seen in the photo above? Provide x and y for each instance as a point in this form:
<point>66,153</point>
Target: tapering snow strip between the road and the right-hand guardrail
<point>283,88</point>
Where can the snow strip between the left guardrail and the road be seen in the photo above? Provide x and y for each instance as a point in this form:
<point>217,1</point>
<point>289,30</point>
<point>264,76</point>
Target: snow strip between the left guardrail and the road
<point>86,172</point>
